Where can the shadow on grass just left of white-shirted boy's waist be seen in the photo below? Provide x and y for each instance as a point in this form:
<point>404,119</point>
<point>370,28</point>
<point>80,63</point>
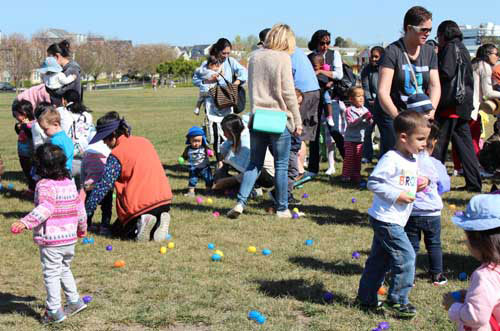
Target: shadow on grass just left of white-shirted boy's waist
<point>330,215</point>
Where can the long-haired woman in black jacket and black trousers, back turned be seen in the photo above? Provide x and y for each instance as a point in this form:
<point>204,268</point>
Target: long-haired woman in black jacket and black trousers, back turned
<point>453,113</point>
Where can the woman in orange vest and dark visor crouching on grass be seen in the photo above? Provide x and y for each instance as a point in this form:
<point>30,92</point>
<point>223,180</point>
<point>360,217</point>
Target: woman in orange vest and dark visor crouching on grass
<point>143,193</point>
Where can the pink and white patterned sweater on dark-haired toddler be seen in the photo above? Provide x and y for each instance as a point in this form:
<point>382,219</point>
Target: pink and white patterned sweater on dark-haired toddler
<point>58,215</point>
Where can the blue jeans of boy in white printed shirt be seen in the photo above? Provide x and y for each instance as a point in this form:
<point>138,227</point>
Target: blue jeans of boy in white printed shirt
<point>391,251</point>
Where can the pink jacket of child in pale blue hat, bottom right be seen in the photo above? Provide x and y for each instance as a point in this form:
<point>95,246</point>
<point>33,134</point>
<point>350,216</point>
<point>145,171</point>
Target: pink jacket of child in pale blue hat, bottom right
<point>482,300</point>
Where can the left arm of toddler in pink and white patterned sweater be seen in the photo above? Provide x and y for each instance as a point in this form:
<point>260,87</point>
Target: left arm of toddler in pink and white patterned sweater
<point>46,205</point>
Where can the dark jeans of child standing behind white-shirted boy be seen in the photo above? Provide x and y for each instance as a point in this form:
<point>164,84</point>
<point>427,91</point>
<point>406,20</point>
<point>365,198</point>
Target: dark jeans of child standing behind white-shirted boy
<point>431,227</point>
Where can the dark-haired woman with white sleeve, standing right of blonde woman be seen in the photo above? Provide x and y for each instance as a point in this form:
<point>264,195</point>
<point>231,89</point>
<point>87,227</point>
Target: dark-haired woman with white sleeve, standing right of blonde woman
<point>320,44</point>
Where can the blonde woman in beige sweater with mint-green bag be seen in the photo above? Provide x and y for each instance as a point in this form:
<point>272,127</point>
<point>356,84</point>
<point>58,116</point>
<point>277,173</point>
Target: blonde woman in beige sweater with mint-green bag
<point>271,92</point>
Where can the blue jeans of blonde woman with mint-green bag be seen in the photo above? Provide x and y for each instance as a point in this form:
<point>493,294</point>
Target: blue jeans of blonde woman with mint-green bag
<point>280,148</point>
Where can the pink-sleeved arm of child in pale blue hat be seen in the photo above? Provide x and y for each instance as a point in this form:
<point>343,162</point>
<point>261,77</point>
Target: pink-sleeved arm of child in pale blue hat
<point>476,310</point>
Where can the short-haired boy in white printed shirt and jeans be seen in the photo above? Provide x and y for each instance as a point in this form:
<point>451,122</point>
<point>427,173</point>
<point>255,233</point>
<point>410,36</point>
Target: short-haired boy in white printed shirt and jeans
<point>394,184</point>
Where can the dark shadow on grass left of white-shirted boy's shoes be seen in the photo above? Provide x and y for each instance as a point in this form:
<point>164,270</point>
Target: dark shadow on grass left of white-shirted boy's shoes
<point>300,290</point>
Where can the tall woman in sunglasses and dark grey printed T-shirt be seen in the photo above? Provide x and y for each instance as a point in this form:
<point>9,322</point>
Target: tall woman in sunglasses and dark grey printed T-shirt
<point>396,82</point>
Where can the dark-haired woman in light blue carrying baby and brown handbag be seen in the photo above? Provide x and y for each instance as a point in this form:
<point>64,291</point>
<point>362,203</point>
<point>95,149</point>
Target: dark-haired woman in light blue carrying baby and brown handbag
<point>234,73</point>
